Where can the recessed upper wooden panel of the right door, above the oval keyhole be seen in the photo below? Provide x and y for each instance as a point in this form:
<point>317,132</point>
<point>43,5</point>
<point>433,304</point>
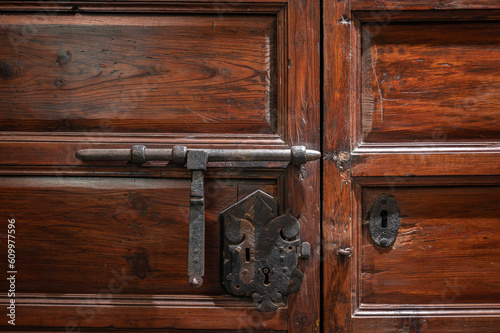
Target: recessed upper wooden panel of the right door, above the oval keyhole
<point>436,82</point>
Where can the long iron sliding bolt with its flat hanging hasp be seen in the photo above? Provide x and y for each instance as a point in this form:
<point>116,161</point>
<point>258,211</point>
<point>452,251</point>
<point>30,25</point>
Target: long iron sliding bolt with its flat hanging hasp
<point>196,160</point>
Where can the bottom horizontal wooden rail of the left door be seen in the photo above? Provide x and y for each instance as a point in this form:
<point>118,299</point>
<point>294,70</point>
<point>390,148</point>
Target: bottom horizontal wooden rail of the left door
<point>183,314</point>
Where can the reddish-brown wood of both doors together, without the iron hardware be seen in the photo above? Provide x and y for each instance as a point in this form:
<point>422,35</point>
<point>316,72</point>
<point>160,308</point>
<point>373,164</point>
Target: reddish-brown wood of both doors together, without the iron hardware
<point>410,108</point>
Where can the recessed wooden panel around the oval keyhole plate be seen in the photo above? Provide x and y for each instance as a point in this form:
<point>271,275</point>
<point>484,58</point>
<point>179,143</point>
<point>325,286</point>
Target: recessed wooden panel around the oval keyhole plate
<point>445,252</point>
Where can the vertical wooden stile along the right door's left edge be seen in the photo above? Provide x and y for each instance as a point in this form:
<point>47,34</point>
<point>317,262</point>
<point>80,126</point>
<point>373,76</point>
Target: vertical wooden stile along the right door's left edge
<point>337,226</point>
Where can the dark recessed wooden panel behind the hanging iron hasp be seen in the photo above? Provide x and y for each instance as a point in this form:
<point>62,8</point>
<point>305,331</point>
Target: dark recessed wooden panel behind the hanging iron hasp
<point>78,234</point>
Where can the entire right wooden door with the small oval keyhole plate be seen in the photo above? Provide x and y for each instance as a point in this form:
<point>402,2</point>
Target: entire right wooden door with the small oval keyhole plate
<point>412,111</point>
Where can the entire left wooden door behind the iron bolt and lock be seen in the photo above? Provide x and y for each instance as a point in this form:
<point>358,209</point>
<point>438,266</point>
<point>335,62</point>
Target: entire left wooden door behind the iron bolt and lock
<point>103,245</point>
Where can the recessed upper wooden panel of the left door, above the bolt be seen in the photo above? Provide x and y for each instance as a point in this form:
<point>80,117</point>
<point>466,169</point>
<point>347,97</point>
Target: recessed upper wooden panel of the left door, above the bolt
<point>154,74</point>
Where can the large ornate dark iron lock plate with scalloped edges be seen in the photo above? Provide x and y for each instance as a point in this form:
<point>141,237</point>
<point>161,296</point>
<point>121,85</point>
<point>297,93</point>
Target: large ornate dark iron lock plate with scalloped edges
<point>261,251</point>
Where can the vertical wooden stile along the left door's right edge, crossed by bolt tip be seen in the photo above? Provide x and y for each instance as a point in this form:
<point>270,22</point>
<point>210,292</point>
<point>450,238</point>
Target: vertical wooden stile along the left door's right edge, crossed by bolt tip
<point>303,190</point>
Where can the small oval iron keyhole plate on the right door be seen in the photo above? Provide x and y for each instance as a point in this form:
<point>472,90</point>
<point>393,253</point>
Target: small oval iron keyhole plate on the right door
<point>384,220</point>
